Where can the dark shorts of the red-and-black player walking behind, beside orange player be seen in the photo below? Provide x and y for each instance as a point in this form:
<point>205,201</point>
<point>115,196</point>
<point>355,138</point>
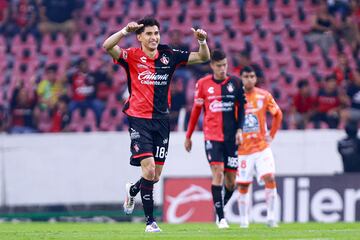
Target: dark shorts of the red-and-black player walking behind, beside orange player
<point>222,153</point>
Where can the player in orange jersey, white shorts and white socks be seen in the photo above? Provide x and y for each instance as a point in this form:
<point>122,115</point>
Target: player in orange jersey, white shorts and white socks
<point>255,156</point>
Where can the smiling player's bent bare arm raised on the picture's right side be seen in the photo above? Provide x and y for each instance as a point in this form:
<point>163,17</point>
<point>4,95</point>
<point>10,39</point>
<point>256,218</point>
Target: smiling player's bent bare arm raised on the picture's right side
<point>203,54</point>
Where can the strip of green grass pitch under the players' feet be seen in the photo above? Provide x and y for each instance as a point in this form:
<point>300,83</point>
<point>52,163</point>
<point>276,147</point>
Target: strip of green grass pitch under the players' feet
<point>203,231</point>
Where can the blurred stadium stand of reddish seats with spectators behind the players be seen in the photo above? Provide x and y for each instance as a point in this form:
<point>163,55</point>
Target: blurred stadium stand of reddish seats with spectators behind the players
<point>57,78</point>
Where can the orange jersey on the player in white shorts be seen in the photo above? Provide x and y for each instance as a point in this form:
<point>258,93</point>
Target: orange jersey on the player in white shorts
<point>259,102</point>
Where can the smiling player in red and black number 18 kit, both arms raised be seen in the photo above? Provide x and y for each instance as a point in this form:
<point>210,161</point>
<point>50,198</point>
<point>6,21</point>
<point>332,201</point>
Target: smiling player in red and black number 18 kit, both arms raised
<point>149,70</point>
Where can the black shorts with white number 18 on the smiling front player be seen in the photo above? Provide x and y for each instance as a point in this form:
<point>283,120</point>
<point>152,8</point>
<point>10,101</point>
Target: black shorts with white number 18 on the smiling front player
<point>149,138</point>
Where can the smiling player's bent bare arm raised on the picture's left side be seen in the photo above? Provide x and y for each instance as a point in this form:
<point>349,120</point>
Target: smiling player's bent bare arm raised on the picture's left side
<point>110,44</point>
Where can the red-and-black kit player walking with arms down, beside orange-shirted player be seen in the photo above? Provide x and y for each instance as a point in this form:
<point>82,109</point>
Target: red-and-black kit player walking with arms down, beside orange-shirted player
<point>222,98</point>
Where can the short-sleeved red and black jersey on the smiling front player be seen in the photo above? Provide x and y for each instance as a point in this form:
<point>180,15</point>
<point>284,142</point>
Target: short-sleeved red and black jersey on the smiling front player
<point>149,80</point>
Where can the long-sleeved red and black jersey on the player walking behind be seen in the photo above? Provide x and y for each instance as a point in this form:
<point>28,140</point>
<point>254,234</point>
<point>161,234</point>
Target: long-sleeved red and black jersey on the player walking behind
<point>223,103</point>
